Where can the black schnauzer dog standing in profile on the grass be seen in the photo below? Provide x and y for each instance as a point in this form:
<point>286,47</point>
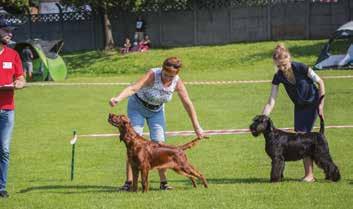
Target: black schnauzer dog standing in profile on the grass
<point>283,146</point>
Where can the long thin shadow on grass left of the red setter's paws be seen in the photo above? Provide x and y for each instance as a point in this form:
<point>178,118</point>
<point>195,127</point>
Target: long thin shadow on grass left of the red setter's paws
<point>77,188</point>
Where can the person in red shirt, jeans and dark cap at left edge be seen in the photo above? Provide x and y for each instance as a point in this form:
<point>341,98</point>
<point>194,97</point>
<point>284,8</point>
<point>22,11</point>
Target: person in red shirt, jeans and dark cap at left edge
<point>11,78</point>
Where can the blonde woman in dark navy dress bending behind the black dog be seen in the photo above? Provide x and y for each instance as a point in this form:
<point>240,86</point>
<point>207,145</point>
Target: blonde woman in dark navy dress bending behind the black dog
<point>300,83</point>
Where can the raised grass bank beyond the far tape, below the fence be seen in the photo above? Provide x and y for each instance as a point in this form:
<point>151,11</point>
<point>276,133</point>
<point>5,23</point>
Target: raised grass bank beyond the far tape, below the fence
<point>227,62</point>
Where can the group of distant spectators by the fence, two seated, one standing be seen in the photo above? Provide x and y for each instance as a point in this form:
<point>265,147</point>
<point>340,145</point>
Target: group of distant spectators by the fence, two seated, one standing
<point>141,41</point>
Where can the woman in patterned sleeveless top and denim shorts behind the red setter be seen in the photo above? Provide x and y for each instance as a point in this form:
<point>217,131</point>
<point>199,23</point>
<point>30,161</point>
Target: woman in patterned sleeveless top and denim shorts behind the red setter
<point>146,102</point>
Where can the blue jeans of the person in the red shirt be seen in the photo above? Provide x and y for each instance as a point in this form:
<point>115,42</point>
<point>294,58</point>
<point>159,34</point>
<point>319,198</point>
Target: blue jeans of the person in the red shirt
<point>6,126</point>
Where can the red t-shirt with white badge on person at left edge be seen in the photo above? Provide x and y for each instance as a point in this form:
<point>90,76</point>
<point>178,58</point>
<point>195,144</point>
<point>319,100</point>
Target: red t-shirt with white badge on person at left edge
<point>10,69</point>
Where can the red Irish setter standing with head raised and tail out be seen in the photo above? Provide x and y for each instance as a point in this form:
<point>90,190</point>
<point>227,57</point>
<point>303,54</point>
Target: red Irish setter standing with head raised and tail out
<point>145,155</point>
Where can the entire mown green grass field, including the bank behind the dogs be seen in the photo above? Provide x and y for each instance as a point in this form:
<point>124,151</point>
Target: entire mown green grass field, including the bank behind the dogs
<point>236,166</point>
